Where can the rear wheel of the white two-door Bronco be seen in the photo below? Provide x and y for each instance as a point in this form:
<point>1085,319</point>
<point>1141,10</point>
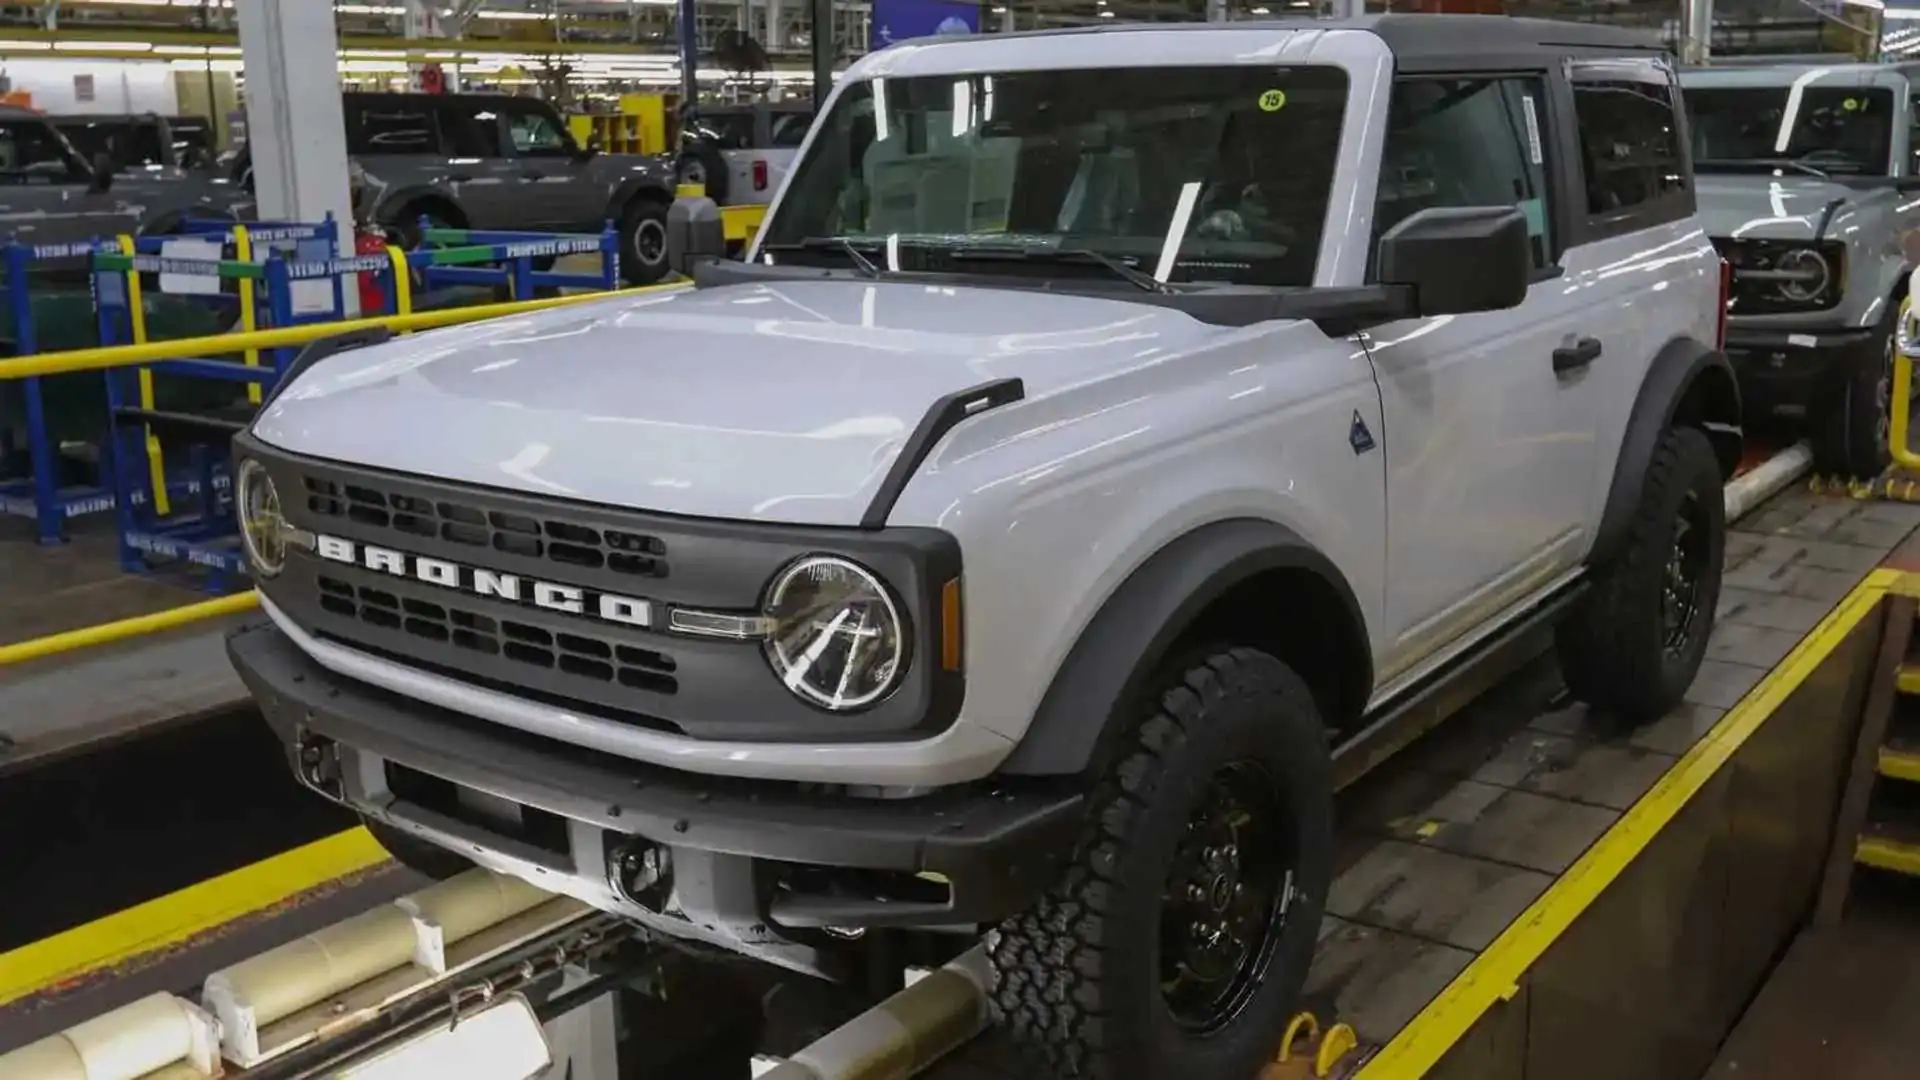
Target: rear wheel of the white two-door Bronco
<point>1635,641</point>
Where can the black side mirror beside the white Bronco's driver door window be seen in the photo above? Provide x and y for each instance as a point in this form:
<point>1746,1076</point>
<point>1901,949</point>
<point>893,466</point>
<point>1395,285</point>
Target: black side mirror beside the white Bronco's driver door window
<point>1460,258</point>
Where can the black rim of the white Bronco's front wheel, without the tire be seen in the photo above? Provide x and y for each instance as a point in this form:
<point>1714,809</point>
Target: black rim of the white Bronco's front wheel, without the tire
<point>1226,898</point>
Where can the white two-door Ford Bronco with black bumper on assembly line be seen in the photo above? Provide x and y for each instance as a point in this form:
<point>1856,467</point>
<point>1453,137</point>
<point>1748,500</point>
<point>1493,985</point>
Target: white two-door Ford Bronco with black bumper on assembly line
<point>1109,435</point>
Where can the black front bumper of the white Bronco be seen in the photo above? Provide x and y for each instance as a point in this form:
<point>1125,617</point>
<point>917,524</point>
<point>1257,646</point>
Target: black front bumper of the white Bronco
<point>389,756</point>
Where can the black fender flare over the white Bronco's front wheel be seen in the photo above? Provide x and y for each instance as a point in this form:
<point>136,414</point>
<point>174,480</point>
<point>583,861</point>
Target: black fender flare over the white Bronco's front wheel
<point>1141,622</point>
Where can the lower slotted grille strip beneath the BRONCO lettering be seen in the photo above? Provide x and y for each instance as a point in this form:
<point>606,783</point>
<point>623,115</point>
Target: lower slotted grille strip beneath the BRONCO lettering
<point>564,652</point>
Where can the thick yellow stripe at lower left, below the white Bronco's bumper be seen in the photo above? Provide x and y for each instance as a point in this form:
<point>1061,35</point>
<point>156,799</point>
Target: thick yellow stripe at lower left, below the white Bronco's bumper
<point>185,914</point>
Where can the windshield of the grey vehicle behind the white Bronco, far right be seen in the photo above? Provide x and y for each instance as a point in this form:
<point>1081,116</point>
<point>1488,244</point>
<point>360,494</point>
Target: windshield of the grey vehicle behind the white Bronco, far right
<point>1825,130</point>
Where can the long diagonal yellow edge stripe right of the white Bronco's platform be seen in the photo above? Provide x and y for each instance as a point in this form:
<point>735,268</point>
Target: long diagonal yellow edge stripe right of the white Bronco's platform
<point>1497,973</point>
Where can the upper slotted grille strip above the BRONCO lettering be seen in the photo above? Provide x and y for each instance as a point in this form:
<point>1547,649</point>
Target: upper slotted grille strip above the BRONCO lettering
<point>558,541</point>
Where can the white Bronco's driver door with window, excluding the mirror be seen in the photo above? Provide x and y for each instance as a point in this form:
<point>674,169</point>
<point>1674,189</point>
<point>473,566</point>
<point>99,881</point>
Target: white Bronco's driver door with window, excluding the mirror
<point>1489,451</point>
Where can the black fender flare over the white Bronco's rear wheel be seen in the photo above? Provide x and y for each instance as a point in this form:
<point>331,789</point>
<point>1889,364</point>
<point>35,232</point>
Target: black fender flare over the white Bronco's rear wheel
<point>1685,374</point>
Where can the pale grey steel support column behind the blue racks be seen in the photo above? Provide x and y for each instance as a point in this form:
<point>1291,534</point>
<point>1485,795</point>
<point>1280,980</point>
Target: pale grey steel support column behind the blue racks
<point>297,132</point>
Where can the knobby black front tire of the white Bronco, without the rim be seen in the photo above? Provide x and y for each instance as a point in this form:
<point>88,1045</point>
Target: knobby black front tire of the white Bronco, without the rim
<point>1078,975</point>
